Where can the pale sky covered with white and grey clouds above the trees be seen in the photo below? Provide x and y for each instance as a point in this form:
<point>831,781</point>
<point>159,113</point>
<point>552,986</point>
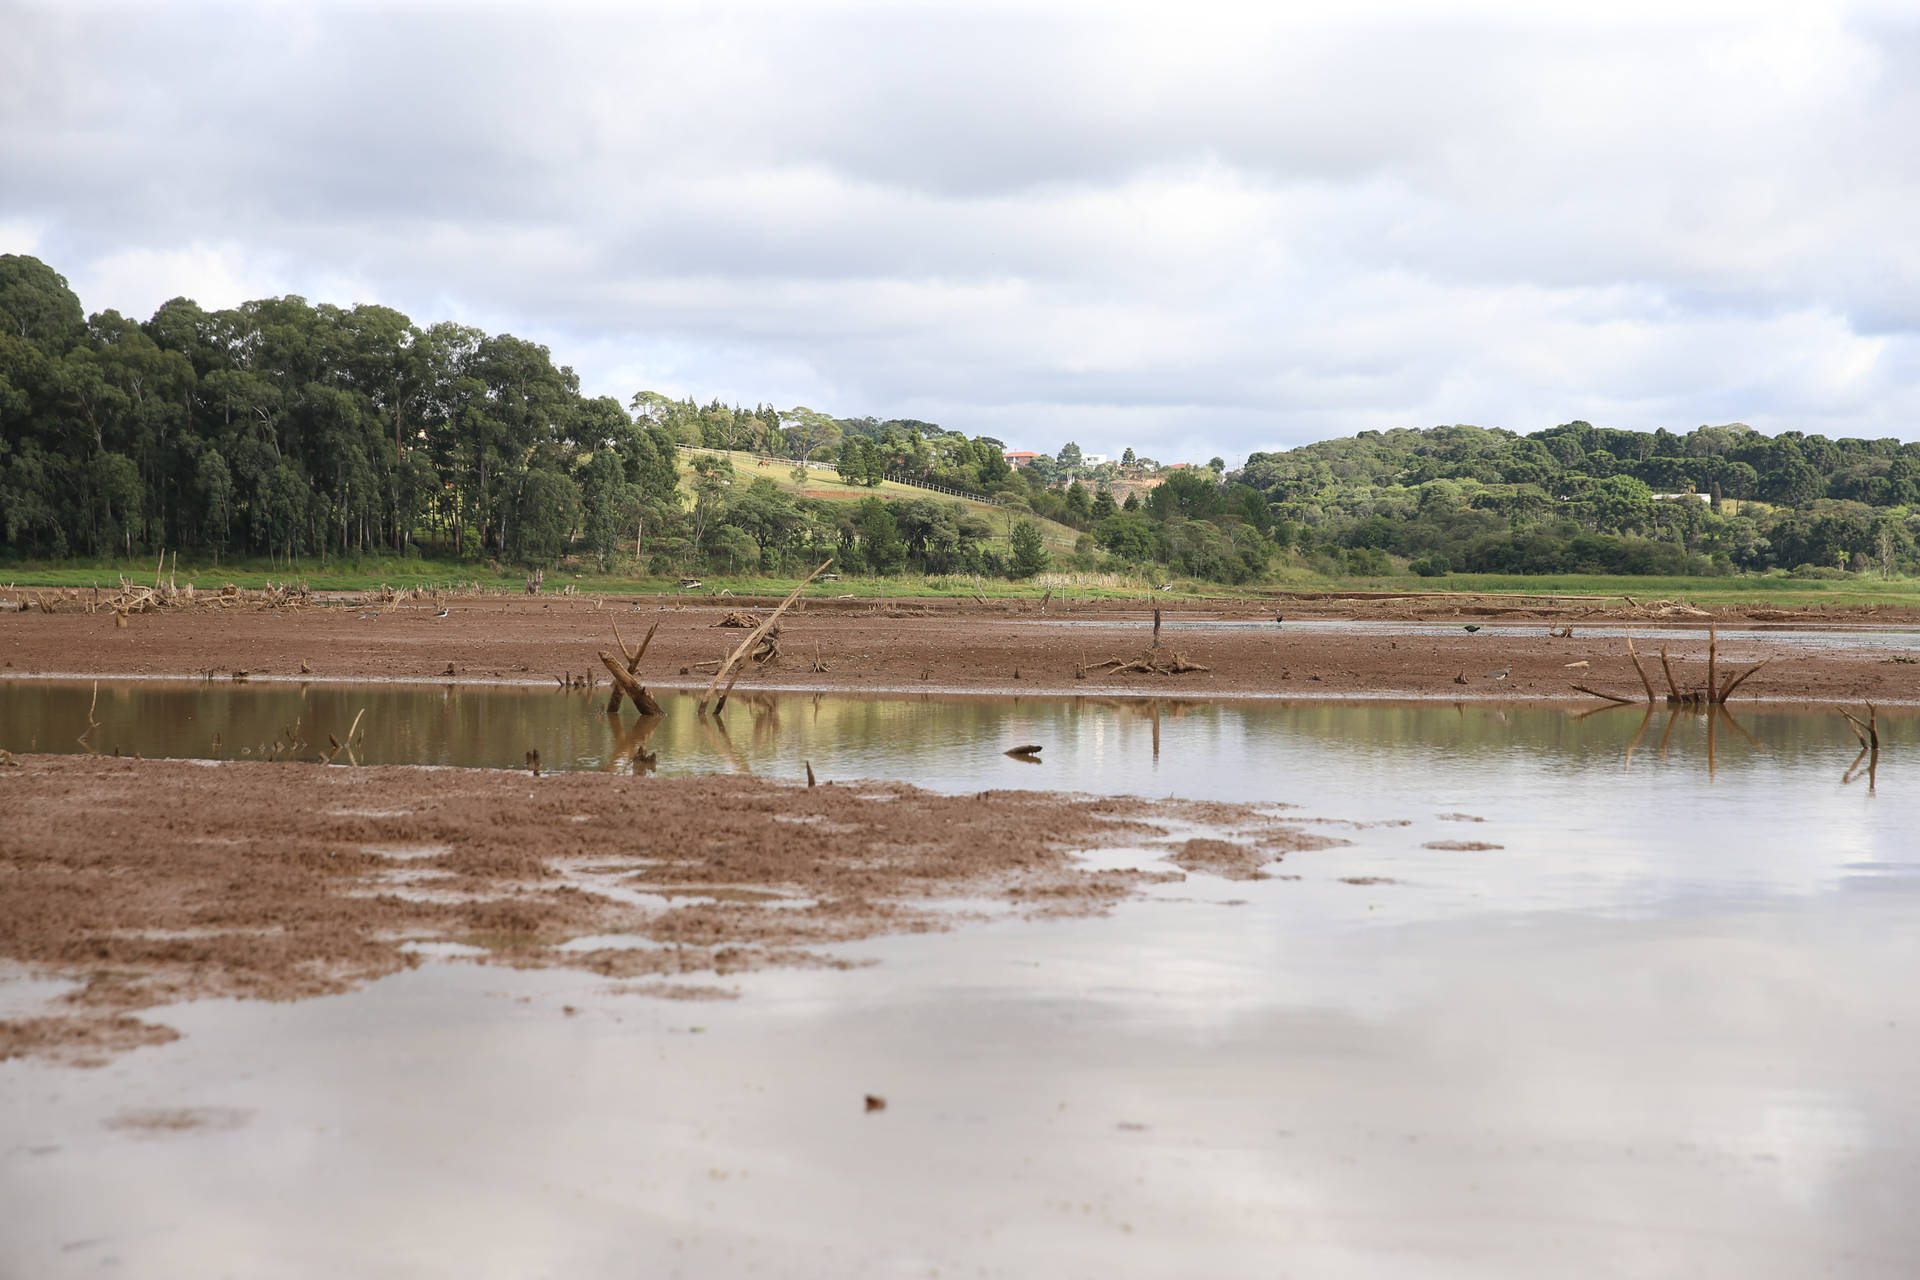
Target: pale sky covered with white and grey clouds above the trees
<point>1188,229</point>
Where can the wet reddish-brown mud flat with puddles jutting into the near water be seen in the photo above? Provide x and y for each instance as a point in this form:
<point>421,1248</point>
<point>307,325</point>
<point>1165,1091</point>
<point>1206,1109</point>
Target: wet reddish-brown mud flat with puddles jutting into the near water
<point>149,884</point>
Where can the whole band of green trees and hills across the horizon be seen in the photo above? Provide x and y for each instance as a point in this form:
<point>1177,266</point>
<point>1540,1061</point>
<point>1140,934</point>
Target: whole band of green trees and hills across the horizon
<point>291,431</point>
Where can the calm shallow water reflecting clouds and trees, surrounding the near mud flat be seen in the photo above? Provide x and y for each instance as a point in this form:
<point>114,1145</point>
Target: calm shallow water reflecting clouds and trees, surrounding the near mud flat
<point>1662,1022</point>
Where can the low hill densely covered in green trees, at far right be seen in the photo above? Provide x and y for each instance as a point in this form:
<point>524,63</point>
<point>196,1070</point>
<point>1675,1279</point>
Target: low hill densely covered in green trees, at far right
<point>1577,498</point>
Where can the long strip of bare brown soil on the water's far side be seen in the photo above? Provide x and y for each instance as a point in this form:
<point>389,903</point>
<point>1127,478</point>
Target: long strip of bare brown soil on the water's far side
<point>969,646</point>
